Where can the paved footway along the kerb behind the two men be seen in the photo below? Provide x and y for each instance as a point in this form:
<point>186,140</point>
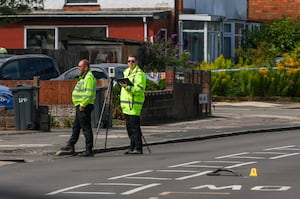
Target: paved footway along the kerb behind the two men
<point>227,119</point>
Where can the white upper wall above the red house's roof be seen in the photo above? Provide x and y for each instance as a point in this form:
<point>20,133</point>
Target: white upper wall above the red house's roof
<point>117,4</point>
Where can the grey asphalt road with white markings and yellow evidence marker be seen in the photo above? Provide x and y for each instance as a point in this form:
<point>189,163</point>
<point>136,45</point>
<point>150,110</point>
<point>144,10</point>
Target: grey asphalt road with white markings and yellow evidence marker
<point>172,171</point>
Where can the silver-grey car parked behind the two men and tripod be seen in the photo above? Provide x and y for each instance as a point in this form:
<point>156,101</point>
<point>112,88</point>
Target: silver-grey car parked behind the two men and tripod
<point>100,71</point>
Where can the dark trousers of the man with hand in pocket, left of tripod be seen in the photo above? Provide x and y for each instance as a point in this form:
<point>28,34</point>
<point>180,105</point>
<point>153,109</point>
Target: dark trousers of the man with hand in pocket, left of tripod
<point>83,121</point>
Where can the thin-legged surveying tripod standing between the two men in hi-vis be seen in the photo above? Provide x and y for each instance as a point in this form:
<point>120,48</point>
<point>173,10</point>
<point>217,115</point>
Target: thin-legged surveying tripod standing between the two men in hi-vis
<point>108,98</point>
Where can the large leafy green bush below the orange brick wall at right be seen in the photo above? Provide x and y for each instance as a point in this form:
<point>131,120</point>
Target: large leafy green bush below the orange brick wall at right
<point>262,46</point>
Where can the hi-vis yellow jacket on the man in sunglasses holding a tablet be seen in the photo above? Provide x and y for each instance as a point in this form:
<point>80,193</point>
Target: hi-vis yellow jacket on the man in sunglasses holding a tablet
<point>133,97</point>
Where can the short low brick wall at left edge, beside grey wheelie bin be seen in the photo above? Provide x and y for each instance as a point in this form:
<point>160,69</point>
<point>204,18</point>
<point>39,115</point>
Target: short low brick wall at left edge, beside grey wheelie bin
<point>6,119</point>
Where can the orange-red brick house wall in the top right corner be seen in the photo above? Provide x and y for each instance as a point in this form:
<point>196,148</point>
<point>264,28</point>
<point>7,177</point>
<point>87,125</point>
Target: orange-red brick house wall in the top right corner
<point>267,10</point>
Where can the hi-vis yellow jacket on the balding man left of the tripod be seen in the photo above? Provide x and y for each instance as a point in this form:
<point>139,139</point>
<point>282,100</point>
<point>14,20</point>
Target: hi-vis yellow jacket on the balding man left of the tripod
<point>84,92</point>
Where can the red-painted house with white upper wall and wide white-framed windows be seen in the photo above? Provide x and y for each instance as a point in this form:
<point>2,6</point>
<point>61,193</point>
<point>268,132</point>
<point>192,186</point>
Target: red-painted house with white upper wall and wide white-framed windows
<point>88,24</point>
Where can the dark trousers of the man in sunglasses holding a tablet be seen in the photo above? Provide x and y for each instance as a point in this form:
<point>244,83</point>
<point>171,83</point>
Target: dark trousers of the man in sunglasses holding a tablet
<point>134,132</point>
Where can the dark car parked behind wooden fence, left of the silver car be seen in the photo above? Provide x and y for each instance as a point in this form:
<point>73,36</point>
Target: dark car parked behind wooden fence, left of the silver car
<point>25,67</point>
